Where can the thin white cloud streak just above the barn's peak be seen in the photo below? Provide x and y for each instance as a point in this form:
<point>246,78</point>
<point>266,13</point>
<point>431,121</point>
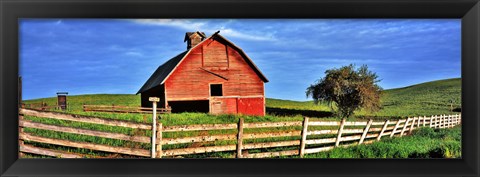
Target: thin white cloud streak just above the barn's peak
<point>190,25</point>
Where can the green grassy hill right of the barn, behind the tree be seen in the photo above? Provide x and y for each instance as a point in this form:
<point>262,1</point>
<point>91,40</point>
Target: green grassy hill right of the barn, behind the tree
<point>422,99</point>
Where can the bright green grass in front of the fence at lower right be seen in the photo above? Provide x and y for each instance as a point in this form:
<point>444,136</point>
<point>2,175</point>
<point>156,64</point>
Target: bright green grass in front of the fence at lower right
<point>423,143</point>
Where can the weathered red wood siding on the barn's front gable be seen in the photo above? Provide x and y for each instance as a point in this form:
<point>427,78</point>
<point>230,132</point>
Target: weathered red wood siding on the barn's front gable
<point>190,82</point>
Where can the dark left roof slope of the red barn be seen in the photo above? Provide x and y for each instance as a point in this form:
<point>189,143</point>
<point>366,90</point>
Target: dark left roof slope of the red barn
<point>162,72</point>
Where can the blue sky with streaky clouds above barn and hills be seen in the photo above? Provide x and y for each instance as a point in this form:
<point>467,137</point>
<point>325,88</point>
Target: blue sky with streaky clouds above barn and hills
<point>89,56</point>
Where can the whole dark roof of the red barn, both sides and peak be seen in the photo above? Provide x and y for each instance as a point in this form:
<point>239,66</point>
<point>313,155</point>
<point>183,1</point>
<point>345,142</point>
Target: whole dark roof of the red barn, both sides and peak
<point>163,71</point>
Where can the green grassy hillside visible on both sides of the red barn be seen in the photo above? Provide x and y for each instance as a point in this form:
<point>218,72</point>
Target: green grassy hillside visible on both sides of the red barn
<point>422,99</point>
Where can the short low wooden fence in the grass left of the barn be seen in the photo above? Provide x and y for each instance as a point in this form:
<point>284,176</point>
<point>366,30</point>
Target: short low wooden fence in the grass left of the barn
<point>122,109</point>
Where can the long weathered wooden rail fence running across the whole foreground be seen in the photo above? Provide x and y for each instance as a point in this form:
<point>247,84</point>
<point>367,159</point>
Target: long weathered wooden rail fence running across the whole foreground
<point>308,136</point>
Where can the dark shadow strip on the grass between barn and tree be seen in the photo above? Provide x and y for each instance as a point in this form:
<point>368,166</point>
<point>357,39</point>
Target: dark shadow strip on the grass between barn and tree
<point>294,112</point>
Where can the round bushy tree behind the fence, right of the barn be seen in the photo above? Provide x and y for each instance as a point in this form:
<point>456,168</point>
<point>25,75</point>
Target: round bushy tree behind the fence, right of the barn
<point>347,90</point>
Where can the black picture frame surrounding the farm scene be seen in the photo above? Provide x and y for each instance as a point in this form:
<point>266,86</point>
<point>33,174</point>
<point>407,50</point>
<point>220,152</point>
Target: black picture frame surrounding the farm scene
<point>11,11</point>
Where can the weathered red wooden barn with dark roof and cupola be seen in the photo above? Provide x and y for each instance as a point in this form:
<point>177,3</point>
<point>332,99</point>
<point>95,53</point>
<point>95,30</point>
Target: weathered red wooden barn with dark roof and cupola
<point>213,75</point>
